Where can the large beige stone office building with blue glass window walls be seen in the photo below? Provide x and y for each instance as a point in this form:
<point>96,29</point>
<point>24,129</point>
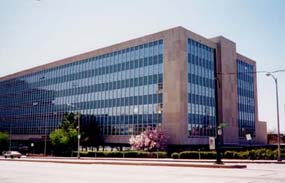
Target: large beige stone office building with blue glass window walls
<point>177,79</point>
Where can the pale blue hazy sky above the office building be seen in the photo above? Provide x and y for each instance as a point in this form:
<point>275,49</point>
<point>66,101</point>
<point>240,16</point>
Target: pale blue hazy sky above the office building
<point>36,32</point>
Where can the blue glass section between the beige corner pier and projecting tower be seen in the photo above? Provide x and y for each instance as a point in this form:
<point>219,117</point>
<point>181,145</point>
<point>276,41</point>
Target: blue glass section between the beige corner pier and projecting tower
<point>201,90</point>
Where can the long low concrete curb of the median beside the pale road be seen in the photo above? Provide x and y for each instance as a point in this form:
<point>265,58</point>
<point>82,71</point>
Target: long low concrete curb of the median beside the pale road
<point>133,163</point>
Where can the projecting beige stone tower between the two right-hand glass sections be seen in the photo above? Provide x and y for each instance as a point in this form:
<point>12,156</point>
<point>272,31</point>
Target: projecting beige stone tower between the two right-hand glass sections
<point>227,88</point>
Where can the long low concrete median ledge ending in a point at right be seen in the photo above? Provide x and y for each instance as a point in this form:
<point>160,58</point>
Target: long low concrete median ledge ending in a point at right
<point>126,162</point>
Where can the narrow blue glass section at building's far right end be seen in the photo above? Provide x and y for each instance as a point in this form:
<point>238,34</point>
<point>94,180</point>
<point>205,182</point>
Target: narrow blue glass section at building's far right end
<point>246,101</point>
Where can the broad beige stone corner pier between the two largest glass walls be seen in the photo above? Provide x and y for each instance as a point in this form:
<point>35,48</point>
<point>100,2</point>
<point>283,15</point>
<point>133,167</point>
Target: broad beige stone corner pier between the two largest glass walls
<point>175,85</point>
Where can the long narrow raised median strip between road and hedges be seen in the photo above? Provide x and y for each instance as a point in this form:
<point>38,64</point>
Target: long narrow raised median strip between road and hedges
<point>129,161</point>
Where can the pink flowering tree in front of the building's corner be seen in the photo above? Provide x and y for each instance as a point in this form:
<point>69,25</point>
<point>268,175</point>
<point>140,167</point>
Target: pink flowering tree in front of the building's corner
<point>150,140</point>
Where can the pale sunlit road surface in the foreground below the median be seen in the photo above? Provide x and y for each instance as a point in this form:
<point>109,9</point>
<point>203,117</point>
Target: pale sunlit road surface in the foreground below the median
<point>33,172</point>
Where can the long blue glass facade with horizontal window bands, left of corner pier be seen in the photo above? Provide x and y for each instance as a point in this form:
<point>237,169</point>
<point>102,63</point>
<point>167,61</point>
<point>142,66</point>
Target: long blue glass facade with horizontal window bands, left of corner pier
<point>121,90</point>
